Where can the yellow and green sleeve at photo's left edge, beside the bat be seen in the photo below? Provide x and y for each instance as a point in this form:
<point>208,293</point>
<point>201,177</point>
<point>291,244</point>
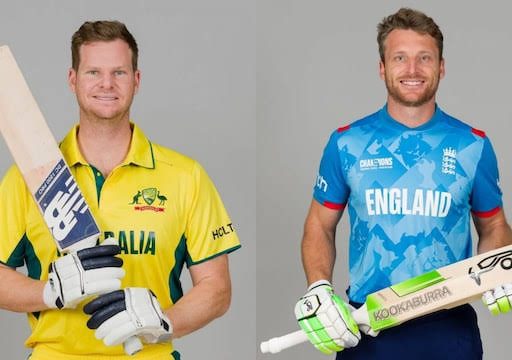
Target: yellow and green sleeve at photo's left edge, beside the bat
<point>13,204</point>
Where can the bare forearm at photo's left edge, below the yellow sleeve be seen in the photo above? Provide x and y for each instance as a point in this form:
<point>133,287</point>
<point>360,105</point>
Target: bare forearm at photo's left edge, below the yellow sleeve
<point>20,293</point>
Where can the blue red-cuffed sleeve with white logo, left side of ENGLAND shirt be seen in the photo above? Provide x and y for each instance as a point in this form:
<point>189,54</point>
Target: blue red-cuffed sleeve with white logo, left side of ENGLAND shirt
<point>331,189</point>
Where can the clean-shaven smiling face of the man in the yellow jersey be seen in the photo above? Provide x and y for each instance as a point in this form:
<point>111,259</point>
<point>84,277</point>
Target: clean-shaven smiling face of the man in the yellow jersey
<point>105,82</point>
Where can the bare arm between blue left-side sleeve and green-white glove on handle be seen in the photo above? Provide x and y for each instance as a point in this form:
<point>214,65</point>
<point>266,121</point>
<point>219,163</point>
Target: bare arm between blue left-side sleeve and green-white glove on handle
<point>318,242</point>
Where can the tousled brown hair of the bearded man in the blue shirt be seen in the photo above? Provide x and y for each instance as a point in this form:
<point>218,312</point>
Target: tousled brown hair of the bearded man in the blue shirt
<point>409,19</point>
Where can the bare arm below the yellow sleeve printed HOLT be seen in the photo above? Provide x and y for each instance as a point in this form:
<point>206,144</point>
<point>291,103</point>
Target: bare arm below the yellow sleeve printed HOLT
<point>208,299</point>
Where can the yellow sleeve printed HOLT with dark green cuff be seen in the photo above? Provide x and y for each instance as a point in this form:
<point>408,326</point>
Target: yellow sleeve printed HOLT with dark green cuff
<point>209,232</point>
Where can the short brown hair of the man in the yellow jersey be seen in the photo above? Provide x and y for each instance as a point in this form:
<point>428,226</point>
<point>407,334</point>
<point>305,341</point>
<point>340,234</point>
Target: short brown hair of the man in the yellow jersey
<point>103,30</point>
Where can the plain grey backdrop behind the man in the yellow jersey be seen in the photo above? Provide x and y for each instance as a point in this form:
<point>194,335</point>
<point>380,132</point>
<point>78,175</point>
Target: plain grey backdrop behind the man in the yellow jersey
<point>197,96</point>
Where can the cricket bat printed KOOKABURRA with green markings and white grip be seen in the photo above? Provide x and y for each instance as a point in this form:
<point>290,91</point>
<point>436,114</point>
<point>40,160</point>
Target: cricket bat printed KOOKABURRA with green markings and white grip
<point>444,288</point>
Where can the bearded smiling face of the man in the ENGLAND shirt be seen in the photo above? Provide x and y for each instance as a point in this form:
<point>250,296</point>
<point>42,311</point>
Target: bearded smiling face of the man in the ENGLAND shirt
<point>412,68</point>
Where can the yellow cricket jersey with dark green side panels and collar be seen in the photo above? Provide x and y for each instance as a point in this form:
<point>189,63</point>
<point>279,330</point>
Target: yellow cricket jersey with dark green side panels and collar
<point>159,204</point>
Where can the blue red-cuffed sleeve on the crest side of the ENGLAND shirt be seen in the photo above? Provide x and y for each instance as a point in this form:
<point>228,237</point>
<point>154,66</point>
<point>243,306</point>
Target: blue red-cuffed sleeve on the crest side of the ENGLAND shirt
<point>486,195</point>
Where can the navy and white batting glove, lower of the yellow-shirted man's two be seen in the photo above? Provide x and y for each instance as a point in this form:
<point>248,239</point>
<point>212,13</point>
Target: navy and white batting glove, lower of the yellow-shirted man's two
<point>122,314</point>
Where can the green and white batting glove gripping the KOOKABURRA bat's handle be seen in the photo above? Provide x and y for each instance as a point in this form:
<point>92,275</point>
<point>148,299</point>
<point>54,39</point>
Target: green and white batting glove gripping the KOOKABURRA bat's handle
<point>326,319</point>
